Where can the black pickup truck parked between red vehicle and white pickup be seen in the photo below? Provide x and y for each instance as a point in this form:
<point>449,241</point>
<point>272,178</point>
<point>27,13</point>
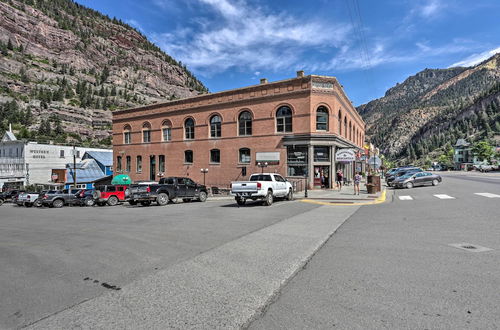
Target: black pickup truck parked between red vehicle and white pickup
<point>166,190</point>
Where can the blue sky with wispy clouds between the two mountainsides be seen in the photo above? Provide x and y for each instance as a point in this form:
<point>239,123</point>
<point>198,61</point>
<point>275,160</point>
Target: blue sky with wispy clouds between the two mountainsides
<point>368,45</point>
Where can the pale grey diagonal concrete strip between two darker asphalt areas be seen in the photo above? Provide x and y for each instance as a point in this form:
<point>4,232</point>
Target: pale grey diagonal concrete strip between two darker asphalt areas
<point>226,287</point>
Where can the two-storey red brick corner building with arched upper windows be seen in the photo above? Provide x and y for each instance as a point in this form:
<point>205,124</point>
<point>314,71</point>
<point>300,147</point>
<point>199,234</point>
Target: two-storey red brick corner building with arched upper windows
<point>294,126</point>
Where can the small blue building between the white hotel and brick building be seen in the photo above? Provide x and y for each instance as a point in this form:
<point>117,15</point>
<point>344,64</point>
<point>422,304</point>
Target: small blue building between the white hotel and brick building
<point>95,166</point>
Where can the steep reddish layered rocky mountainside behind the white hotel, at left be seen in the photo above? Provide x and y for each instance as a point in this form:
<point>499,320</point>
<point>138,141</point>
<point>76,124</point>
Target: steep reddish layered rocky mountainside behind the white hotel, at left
<point>65,67</point>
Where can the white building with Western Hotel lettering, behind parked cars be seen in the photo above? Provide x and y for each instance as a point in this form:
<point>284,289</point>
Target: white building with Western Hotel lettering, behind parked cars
<point>25,163</point>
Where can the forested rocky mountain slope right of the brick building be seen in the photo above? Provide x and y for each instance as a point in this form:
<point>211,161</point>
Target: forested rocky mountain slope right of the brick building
<point>429,111</point>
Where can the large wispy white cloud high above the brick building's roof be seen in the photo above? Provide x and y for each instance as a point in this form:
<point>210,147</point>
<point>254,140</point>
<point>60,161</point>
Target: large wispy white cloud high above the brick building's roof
<point>249,37</point>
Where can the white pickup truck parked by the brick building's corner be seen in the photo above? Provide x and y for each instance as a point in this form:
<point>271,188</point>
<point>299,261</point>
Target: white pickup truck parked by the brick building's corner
<point>266,186</point>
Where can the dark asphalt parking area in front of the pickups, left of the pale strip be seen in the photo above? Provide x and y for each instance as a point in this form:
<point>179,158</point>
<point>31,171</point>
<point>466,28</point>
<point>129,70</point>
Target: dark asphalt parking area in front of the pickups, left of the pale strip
<point>55,258</point>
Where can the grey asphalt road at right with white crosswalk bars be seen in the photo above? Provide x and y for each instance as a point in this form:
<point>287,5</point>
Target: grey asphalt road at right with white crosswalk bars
<point>390,266</point>
